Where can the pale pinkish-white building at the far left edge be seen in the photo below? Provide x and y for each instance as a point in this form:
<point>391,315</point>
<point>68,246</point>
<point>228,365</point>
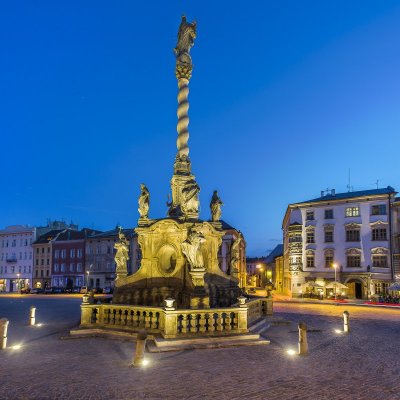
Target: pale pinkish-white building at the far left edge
<point>16,259</point>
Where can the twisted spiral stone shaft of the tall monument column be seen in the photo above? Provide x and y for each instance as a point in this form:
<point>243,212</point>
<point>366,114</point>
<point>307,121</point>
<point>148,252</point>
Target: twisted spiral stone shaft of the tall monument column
<point>183,118</point>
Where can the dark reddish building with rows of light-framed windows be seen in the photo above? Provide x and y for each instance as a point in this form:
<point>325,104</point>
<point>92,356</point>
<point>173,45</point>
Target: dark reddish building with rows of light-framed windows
<point>68,258</point>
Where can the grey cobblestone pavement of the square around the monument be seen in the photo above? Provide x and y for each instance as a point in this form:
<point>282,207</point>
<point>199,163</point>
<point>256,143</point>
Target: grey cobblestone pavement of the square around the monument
<point>362,365</point>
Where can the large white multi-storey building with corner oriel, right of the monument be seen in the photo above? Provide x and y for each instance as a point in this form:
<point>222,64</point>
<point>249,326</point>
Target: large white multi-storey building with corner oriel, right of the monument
<point>350,230</point>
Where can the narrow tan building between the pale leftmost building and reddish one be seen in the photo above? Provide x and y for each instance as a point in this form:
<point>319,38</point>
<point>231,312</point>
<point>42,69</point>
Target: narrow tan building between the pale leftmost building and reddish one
<point>42,259</point>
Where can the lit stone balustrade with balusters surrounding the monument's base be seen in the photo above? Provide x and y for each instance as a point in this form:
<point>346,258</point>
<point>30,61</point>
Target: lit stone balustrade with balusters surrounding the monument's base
<point>171,323</point>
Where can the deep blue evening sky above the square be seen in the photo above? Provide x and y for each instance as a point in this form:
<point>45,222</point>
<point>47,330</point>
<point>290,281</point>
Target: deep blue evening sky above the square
<point>285,98</point>
